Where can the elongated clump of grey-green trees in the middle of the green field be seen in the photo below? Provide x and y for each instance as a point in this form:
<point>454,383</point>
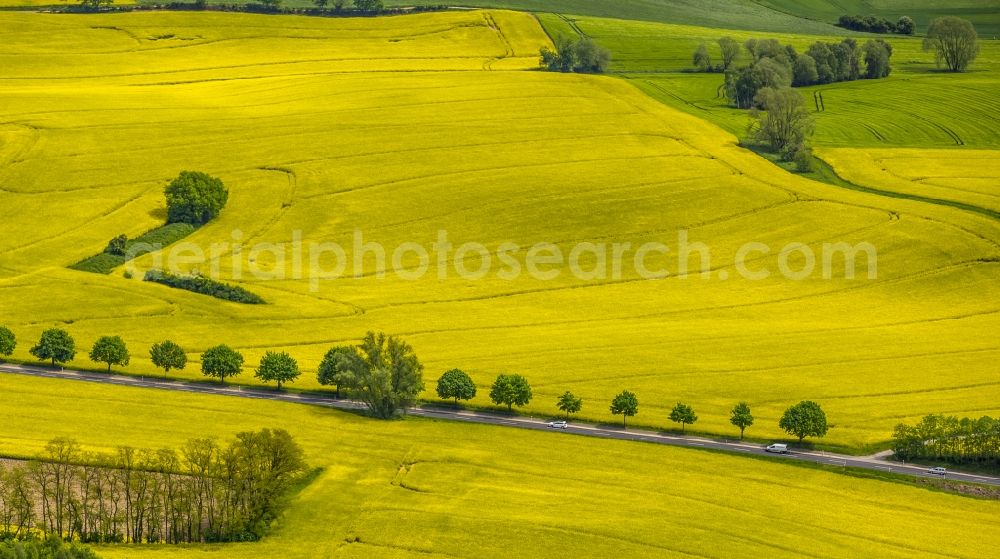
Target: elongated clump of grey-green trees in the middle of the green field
<point>771,64</point>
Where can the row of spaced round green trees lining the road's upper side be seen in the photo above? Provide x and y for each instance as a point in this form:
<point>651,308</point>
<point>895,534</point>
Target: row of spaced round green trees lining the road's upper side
<point>384,373</point>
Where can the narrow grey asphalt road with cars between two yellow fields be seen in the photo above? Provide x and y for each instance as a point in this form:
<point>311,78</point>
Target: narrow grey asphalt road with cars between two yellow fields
<point>586,429</point>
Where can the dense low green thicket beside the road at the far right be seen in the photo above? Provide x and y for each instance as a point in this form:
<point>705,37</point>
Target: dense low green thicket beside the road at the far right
<point>948,438</point>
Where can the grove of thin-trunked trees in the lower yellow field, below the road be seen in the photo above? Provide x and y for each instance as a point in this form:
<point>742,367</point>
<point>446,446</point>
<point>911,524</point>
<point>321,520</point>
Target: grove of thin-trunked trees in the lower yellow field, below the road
<point>203,493</point>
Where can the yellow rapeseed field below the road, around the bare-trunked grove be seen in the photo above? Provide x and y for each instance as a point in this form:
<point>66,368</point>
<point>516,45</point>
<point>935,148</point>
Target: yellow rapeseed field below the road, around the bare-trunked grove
<point>420,488</point>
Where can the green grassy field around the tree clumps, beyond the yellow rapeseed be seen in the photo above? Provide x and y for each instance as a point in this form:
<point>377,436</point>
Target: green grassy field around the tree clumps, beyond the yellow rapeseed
<point>917,106</point>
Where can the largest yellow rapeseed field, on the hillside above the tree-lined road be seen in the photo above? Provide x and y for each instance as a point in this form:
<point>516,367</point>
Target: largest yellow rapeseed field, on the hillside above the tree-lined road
<point>401,127</point>
